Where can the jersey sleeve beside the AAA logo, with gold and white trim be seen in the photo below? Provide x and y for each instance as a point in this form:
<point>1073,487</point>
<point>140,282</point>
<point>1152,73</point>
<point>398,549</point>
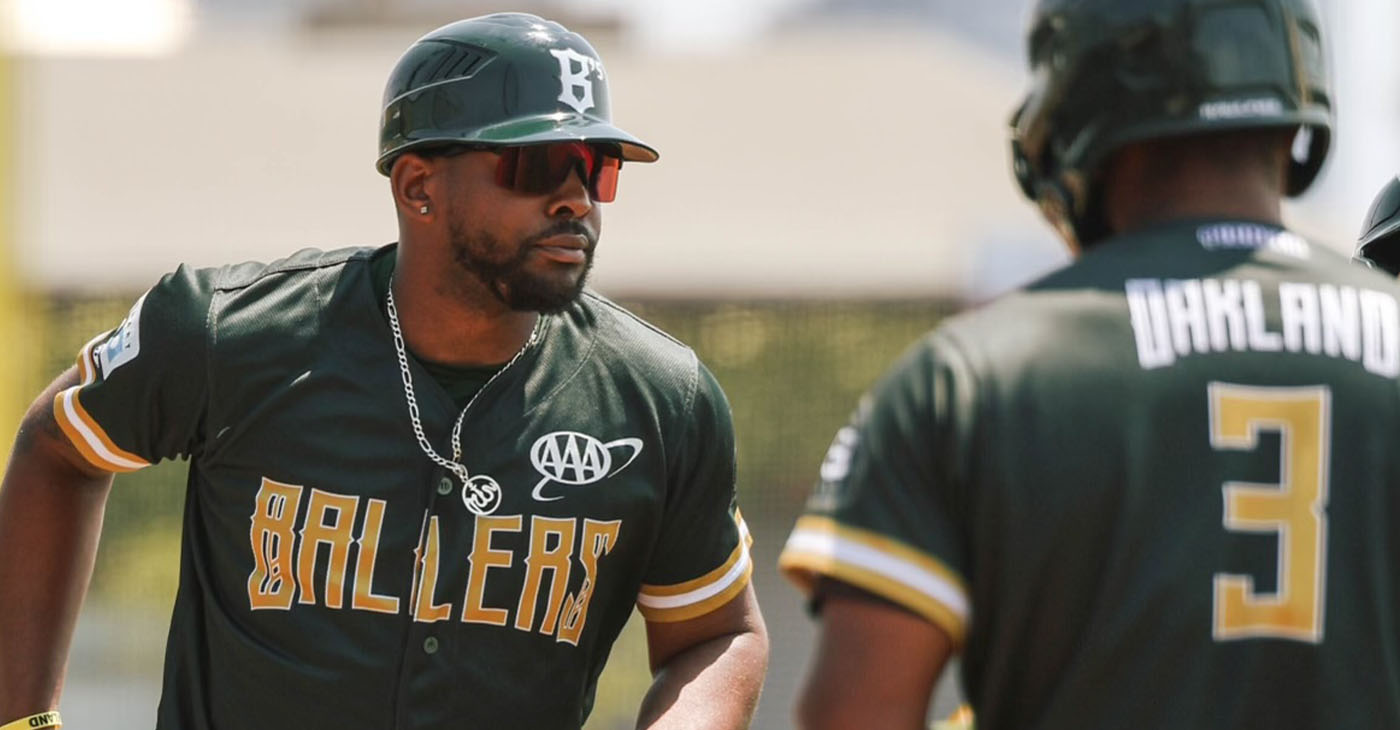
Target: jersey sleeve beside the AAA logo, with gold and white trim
<point>702,558</point>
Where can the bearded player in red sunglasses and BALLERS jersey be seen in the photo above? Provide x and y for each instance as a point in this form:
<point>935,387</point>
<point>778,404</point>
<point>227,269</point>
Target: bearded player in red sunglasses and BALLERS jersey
<point>429,483</point>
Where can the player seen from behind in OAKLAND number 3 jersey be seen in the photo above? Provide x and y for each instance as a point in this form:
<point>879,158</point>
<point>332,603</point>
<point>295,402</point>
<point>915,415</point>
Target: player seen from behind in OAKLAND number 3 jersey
<point>1156,490</point>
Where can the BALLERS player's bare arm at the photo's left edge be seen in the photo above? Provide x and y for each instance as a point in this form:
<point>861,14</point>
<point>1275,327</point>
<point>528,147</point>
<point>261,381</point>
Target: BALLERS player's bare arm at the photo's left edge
<point>51,518</point>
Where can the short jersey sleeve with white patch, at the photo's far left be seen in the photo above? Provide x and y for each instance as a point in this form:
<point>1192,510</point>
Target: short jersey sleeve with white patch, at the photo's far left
<point>143,385</point>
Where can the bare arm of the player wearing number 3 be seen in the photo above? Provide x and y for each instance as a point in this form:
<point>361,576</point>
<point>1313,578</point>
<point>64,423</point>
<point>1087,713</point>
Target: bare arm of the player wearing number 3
<point>876,666</point>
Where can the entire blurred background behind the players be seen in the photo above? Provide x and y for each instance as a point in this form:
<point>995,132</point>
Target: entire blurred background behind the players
<point>834,181</point>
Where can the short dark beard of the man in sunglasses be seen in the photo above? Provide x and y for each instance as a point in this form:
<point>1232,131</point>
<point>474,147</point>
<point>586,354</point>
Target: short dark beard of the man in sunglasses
<point>507,277</point>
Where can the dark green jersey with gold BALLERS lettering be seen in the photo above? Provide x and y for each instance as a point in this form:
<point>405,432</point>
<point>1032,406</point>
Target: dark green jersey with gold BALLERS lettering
<point>332,575</point>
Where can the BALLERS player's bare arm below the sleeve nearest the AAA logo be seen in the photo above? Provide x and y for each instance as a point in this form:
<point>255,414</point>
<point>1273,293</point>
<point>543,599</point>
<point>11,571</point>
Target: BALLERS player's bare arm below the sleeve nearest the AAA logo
<point>708,672</point>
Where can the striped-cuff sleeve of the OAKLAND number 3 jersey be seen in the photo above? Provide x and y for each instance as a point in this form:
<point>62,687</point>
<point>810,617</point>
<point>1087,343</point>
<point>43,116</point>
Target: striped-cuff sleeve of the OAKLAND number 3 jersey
<point>884,514</point>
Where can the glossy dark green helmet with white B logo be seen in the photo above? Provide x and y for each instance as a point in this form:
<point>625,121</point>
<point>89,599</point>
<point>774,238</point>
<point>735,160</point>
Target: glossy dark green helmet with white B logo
<point>503,79</point>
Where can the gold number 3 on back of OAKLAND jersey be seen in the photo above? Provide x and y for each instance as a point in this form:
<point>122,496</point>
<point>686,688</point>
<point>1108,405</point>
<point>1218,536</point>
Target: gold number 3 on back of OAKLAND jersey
<point>1294,509</point>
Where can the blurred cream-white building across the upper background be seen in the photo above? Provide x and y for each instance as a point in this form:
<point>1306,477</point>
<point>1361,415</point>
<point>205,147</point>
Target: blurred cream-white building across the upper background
<point>797,156</point>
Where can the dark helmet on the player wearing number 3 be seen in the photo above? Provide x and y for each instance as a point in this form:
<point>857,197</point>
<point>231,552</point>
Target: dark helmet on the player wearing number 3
<point>1107,74</point>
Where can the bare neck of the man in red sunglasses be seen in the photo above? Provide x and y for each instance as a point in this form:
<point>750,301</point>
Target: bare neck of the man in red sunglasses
<point>449,327</point>
